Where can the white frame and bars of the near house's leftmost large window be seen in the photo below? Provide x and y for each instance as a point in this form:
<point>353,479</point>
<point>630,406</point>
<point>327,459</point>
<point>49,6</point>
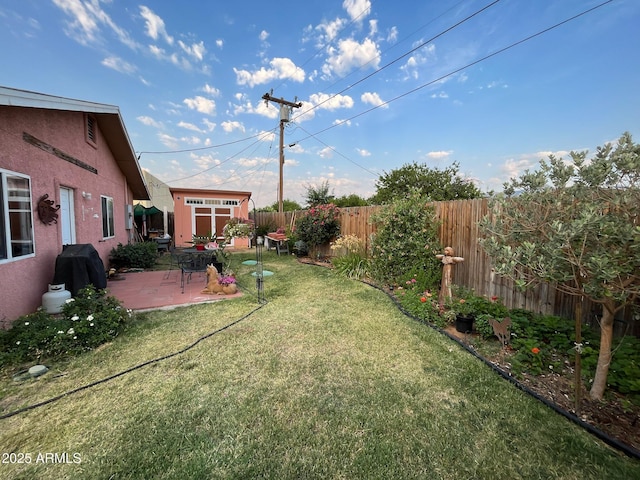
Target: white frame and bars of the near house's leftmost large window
<point>7,251</point>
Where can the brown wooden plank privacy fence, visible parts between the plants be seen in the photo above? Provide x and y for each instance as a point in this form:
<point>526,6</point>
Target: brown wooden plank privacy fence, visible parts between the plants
<point>459,228</point>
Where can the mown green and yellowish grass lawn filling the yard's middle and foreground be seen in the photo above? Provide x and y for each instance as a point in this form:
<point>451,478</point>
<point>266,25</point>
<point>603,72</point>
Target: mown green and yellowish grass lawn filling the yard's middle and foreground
<point>327,380</point>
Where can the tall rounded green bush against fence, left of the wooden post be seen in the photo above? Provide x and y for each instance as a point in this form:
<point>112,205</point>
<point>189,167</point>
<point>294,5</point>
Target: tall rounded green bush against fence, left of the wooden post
<point>398,246</point>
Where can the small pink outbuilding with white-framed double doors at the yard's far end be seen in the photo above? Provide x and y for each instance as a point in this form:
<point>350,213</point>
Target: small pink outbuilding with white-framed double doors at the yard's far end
<point>206,212</point>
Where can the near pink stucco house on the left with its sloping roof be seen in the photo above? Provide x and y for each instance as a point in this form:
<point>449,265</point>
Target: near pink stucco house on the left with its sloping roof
<point>62,152</point>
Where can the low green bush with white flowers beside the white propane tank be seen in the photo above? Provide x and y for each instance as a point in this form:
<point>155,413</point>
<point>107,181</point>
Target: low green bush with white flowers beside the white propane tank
<point>86,322</point>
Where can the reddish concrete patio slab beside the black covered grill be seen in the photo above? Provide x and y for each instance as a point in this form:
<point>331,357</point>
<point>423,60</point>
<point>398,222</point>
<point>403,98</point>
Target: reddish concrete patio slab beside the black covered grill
<point>153,290</point>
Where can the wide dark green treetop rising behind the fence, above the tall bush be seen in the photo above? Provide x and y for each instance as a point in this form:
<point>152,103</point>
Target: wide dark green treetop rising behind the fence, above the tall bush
<point>437,184</point>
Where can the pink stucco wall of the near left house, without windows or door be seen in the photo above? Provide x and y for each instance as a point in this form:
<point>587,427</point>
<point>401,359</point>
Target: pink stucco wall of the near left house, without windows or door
<point>25,279</point>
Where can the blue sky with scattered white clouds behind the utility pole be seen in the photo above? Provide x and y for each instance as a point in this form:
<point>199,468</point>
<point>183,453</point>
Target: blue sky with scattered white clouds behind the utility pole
<point>382,83</point>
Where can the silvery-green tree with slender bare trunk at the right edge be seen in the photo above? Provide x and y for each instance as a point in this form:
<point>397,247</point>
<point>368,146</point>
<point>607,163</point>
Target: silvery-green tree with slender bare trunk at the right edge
<point>575,224</point>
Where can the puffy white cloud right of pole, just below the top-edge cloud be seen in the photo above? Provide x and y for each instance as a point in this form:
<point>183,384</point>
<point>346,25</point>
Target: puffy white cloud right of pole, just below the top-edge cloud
<point>350,55</point>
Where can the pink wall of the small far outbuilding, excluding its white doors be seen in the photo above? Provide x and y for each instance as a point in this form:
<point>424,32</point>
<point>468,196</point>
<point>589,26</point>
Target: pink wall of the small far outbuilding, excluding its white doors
<point>184,213</point>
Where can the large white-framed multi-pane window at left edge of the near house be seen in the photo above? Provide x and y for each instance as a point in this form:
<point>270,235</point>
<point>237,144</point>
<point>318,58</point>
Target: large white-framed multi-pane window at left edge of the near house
<point>16,217</point>
